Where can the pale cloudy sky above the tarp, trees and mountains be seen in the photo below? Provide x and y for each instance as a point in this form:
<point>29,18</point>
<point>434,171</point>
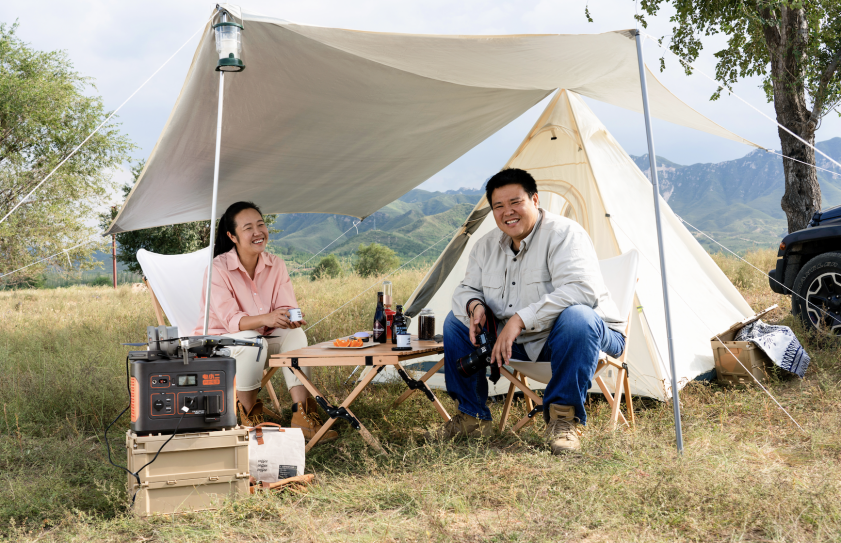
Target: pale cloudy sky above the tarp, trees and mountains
<point>120,44</point>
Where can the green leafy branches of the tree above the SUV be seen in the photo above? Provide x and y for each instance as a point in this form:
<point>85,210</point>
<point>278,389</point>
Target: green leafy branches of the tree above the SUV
<point>756,30</point>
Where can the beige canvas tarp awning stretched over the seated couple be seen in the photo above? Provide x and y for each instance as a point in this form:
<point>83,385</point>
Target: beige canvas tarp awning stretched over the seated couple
<point>326,120</point>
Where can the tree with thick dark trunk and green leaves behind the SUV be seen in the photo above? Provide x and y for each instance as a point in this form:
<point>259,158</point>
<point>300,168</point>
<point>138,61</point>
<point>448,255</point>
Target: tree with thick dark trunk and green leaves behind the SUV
<point>795,46</point>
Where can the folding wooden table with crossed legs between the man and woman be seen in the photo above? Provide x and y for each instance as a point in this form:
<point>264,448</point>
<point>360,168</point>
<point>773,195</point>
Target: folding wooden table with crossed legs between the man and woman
<point>377,357</point>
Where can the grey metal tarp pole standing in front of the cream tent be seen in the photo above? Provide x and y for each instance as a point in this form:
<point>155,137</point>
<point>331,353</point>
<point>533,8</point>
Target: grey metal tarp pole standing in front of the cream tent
<point>653,165</point>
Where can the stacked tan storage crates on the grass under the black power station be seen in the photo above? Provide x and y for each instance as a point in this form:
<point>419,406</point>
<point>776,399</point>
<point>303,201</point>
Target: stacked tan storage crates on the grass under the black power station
<point>194,472</point>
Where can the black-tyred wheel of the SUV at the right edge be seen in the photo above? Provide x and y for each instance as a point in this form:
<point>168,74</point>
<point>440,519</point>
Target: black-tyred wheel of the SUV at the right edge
<point>817,293</point>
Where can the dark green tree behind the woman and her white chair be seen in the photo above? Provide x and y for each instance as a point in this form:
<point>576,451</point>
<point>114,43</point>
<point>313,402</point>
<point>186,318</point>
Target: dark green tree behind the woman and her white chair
<point>173,239</point>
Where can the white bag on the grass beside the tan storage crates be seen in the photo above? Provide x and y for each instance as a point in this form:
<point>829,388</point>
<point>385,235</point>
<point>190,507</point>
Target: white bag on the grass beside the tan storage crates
<point>275,453</point>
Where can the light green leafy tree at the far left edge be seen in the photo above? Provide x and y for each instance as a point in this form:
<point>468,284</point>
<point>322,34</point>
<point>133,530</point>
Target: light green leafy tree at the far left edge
<point>46,110</point>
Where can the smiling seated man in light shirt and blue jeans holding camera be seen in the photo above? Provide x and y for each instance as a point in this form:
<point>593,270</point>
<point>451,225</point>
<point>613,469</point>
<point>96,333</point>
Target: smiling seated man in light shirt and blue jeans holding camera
<point>539,276</point>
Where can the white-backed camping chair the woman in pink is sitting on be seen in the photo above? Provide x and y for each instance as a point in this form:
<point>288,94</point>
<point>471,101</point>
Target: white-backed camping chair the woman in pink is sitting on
<point>175,284</point>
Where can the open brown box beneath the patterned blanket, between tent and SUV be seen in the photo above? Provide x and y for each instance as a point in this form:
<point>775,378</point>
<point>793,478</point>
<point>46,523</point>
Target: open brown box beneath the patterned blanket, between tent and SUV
<point>728,370</point>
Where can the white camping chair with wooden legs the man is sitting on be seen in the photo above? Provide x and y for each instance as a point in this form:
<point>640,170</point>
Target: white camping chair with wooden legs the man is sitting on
<point>620,277</point>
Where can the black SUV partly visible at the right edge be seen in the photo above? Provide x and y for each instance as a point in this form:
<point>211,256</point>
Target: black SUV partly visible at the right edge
<point>809,265</point>
